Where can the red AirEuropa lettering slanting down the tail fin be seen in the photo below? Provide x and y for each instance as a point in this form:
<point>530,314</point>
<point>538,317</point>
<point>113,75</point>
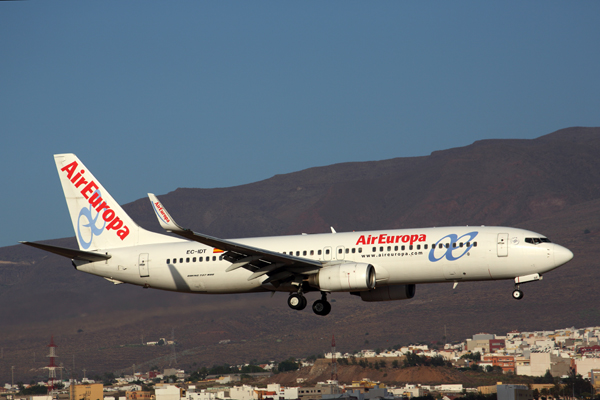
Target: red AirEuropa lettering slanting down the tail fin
<point>91,188</point>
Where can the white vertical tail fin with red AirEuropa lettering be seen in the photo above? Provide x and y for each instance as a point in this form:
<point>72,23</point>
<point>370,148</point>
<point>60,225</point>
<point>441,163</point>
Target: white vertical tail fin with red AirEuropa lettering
<point>98,220</point>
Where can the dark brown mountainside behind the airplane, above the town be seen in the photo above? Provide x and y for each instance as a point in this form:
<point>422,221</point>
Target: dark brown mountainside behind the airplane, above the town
<point>549,185</point>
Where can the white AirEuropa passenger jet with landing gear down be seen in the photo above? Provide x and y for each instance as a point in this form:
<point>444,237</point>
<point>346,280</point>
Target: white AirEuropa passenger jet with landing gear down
<point>380,265</point>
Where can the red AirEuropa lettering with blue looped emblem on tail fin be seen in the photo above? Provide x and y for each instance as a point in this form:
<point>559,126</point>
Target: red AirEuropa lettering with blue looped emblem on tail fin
<point>91,192</point>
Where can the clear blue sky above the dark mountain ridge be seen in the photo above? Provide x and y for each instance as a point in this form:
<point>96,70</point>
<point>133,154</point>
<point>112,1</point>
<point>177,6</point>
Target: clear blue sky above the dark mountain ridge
<point>153,96</point>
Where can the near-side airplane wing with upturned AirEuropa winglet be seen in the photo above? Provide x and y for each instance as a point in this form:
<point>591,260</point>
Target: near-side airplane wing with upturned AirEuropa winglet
<point>279,267</point>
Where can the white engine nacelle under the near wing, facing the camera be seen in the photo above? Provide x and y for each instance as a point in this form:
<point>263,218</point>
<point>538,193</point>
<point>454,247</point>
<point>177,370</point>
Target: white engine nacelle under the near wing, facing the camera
<point>344,278</point>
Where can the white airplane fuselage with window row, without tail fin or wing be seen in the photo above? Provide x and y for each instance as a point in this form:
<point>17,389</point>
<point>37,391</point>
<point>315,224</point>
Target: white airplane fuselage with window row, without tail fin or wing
<point>405,256</point>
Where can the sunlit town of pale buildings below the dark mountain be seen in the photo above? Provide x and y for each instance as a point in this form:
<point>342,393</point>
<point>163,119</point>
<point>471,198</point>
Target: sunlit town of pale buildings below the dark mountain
<point>563,363</point>
